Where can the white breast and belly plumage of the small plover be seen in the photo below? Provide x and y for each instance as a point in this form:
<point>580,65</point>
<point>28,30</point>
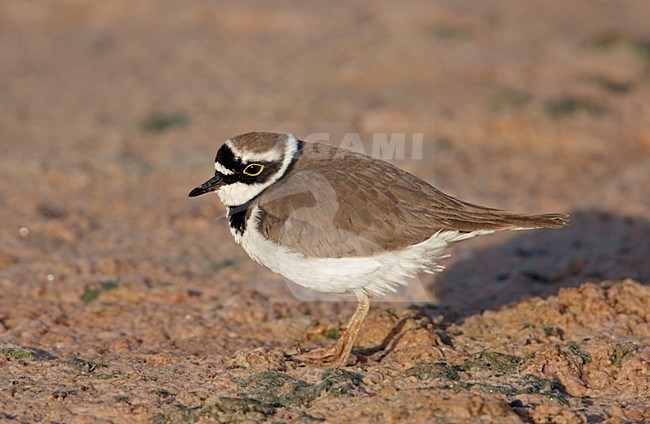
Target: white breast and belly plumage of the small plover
<point>374,275</point>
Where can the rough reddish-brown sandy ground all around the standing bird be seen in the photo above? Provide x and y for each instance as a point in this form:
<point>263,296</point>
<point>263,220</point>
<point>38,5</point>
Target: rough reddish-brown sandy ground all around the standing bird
<point>121,300</point>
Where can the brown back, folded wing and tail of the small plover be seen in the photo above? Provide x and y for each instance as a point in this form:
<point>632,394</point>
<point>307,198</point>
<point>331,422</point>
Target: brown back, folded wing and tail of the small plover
<point>352,205</point>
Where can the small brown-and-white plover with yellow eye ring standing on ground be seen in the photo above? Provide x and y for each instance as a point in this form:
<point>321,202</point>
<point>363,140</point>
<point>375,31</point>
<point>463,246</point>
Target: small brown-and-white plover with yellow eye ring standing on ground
<point>337,221</point>
